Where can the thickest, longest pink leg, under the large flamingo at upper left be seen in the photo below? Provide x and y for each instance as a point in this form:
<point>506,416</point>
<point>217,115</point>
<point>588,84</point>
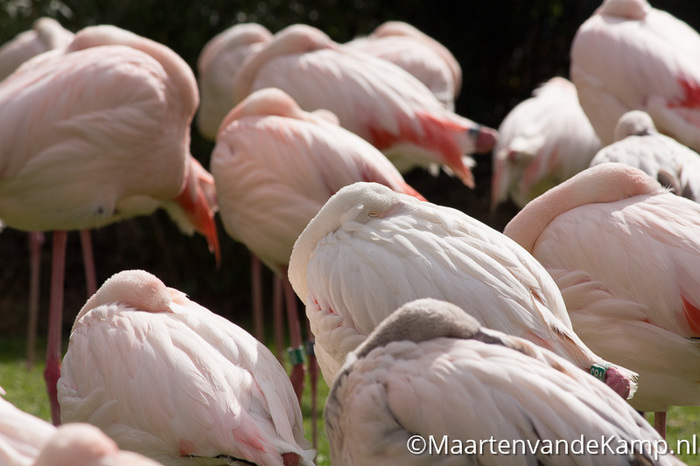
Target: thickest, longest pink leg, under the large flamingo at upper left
<point>53,349</point>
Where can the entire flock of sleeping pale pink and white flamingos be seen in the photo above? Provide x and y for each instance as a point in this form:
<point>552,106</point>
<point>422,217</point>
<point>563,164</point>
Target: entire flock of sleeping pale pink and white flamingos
<point>582,313</point>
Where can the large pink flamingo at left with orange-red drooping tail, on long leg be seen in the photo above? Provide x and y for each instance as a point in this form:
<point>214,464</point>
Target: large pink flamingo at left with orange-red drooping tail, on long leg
<point>104,136</point>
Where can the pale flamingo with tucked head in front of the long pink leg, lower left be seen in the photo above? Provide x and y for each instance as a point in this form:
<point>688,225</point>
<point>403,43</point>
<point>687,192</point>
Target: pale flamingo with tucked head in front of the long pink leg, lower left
<point>177,382</point>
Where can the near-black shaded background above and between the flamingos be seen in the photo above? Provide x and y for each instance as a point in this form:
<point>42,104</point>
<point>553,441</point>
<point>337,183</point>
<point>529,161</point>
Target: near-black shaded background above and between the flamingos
<point>505,48</point>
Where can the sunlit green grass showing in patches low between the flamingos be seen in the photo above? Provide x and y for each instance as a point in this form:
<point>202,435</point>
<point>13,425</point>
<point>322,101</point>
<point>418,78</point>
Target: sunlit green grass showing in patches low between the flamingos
<point>26,390</point>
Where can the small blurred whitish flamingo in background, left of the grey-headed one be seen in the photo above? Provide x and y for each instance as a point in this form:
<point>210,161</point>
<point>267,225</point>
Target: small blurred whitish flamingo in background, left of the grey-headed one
<point>543,141</point>
